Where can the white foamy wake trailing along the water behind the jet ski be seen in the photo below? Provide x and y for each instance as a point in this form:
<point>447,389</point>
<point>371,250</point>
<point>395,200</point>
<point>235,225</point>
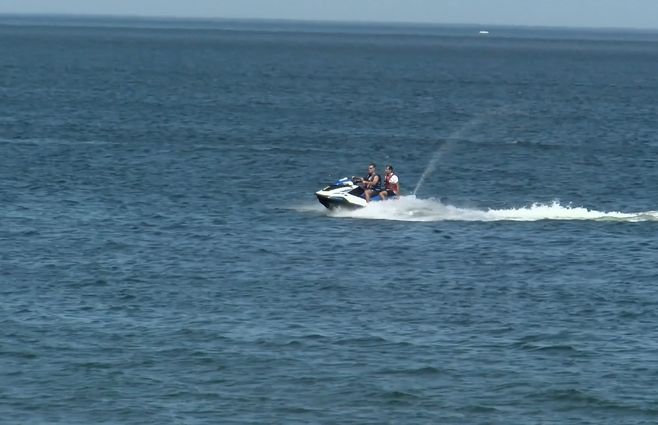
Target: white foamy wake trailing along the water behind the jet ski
<point>410,208</point>
